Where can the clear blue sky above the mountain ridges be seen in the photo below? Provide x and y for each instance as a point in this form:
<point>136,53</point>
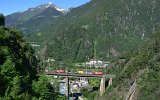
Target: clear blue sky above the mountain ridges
<point>12,6</point>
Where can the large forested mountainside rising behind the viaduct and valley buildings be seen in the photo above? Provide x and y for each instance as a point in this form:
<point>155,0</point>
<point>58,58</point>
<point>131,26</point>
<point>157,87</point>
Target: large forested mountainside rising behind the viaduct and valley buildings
<point>100,29</point>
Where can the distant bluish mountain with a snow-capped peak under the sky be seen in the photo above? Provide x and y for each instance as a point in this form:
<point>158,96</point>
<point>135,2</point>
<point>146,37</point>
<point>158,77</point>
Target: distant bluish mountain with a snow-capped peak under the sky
<point>33,18</point>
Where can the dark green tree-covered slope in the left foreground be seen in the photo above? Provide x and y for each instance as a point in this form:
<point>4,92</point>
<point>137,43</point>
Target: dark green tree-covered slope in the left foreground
<point>19,79</point>
